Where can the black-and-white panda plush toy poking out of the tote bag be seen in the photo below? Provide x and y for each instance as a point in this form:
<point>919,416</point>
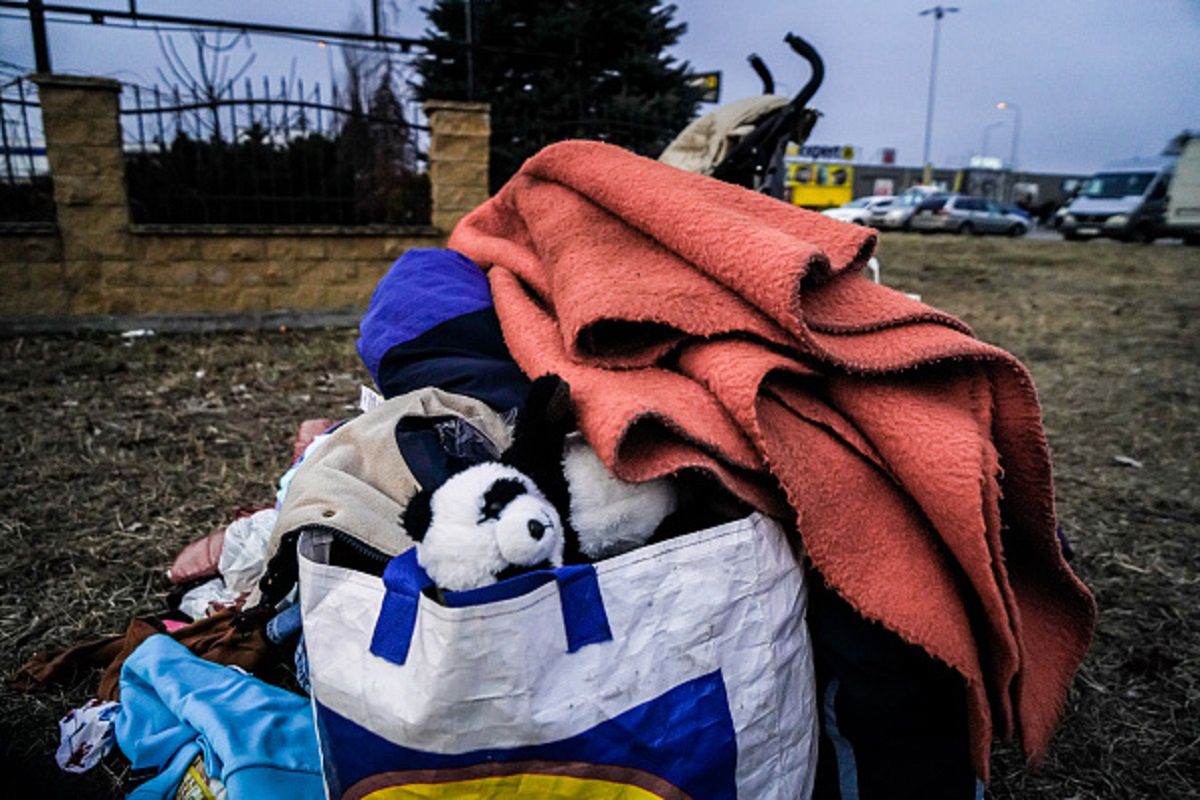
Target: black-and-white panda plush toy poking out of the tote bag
<point>548,501</point>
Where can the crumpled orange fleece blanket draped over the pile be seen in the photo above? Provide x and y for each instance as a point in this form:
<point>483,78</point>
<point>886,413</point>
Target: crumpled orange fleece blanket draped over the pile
<point>703,326</point>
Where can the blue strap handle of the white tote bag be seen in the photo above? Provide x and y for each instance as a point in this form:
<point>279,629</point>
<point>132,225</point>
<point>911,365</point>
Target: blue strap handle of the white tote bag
<point>585,619</point>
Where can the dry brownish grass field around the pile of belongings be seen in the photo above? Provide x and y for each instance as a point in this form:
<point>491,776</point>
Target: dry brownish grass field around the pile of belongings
<point>118,452</point>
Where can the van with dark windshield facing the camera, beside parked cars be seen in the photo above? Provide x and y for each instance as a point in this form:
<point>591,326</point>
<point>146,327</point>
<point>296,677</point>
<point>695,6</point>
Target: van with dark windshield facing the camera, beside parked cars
<point>1127,201</point>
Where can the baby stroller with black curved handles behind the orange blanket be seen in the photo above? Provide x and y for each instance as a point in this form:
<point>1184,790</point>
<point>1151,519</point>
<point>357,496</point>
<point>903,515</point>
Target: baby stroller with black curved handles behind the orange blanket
<point>743,142</point>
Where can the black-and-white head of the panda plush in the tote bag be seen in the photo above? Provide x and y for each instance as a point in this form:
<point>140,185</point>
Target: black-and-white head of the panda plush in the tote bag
<point>483,525</point>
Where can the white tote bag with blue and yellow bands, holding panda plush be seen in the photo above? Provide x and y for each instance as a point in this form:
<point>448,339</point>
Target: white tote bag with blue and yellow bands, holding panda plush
<point>681,670</point>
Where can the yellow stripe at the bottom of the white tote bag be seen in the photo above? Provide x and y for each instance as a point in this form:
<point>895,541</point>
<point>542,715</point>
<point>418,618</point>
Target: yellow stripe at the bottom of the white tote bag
<point>547,787</point>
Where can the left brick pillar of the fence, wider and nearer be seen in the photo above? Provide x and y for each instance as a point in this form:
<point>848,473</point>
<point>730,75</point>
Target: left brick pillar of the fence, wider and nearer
<point>83,146</point>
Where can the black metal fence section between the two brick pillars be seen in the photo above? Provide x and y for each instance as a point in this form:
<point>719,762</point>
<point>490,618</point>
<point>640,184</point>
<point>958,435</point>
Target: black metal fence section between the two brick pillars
<point>275,155</point>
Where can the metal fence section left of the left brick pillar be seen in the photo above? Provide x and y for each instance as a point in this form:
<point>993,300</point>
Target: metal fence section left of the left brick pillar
<point>27,194</point>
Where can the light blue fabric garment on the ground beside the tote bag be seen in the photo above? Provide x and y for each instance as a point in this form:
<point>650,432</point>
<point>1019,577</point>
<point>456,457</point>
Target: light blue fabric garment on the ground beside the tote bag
<point>256,738</point>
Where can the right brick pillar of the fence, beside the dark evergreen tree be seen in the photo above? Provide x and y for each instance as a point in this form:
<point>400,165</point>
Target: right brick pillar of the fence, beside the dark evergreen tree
<point>459,159</point>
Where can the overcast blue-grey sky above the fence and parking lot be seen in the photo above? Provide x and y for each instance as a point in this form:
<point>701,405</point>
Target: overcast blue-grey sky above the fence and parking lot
<point>1094,81</point>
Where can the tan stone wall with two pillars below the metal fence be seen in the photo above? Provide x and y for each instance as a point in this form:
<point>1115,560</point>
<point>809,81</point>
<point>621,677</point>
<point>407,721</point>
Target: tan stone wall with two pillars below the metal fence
<point>94,262</point>
